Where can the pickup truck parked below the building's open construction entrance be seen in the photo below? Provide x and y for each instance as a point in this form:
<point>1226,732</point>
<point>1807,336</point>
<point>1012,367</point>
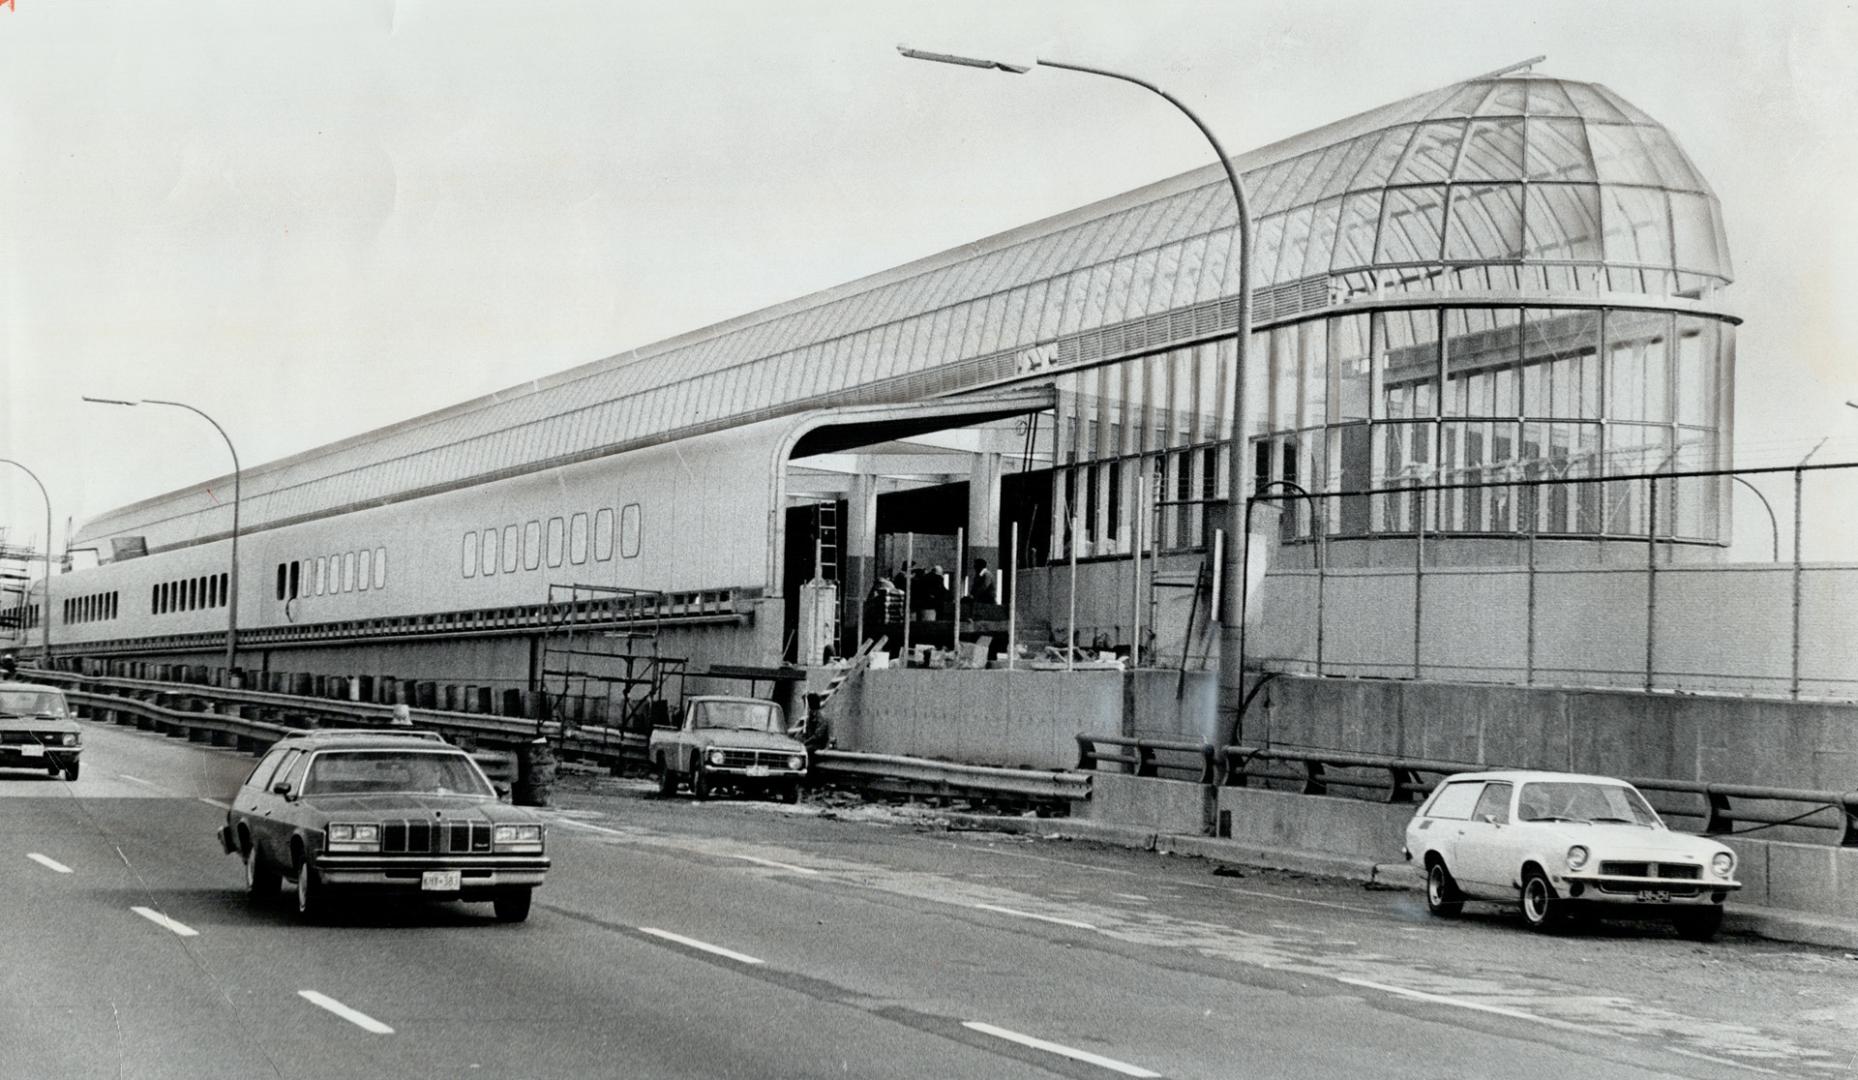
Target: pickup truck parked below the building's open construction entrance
<point>729,743</point>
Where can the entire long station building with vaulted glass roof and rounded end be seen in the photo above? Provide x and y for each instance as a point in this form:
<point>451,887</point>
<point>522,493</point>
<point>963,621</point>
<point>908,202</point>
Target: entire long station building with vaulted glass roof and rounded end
<point>1508,280</point>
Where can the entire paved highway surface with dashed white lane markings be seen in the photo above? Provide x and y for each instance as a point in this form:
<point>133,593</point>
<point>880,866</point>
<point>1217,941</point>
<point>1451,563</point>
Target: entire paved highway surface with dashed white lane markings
<point>759,942</point>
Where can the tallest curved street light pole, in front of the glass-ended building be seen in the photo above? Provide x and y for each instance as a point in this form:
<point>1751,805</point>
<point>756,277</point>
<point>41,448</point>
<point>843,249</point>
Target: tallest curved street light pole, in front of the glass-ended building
<point>1233,570</point>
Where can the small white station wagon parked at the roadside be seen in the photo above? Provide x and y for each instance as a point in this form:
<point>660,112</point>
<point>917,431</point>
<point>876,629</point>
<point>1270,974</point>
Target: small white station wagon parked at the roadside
<point>1556,843</point>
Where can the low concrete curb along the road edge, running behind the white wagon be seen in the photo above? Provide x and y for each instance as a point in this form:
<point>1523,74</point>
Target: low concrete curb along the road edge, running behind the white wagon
<point>1766,923</point>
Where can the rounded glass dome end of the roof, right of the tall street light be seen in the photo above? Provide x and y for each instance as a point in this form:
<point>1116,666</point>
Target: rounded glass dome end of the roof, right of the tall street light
<point>1498,172</point>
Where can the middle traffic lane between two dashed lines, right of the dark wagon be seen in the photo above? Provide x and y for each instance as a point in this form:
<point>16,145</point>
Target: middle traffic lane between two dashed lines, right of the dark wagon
<point>1173,1001</point>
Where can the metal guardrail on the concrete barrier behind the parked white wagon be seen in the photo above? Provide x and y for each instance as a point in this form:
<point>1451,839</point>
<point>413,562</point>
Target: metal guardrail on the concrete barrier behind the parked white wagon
<point>1406,782</point>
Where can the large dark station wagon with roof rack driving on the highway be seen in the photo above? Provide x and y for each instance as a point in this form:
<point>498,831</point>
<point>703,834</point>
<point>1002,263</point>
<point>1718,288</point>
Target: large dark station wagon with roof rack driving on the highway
<point>386,813</point>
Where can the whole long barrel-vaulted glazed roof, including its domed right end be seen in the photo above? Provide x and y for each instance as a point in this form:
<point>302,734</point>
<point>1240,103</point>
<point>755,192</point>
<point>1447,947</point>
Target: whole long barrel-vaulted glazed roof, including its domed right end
<point>1511,183</point>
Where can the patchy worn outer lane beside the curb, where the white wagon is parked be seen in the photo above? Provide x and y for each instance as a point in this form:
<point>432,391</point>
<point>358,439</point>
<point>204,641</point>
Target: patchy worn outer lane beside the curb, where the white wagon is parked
<point>1625,982</point>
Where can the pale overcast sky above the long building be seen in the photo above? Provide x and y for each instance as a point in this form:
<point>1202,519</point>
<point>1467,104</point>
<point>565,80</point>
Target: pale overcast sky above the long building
<point>313,220</point>
